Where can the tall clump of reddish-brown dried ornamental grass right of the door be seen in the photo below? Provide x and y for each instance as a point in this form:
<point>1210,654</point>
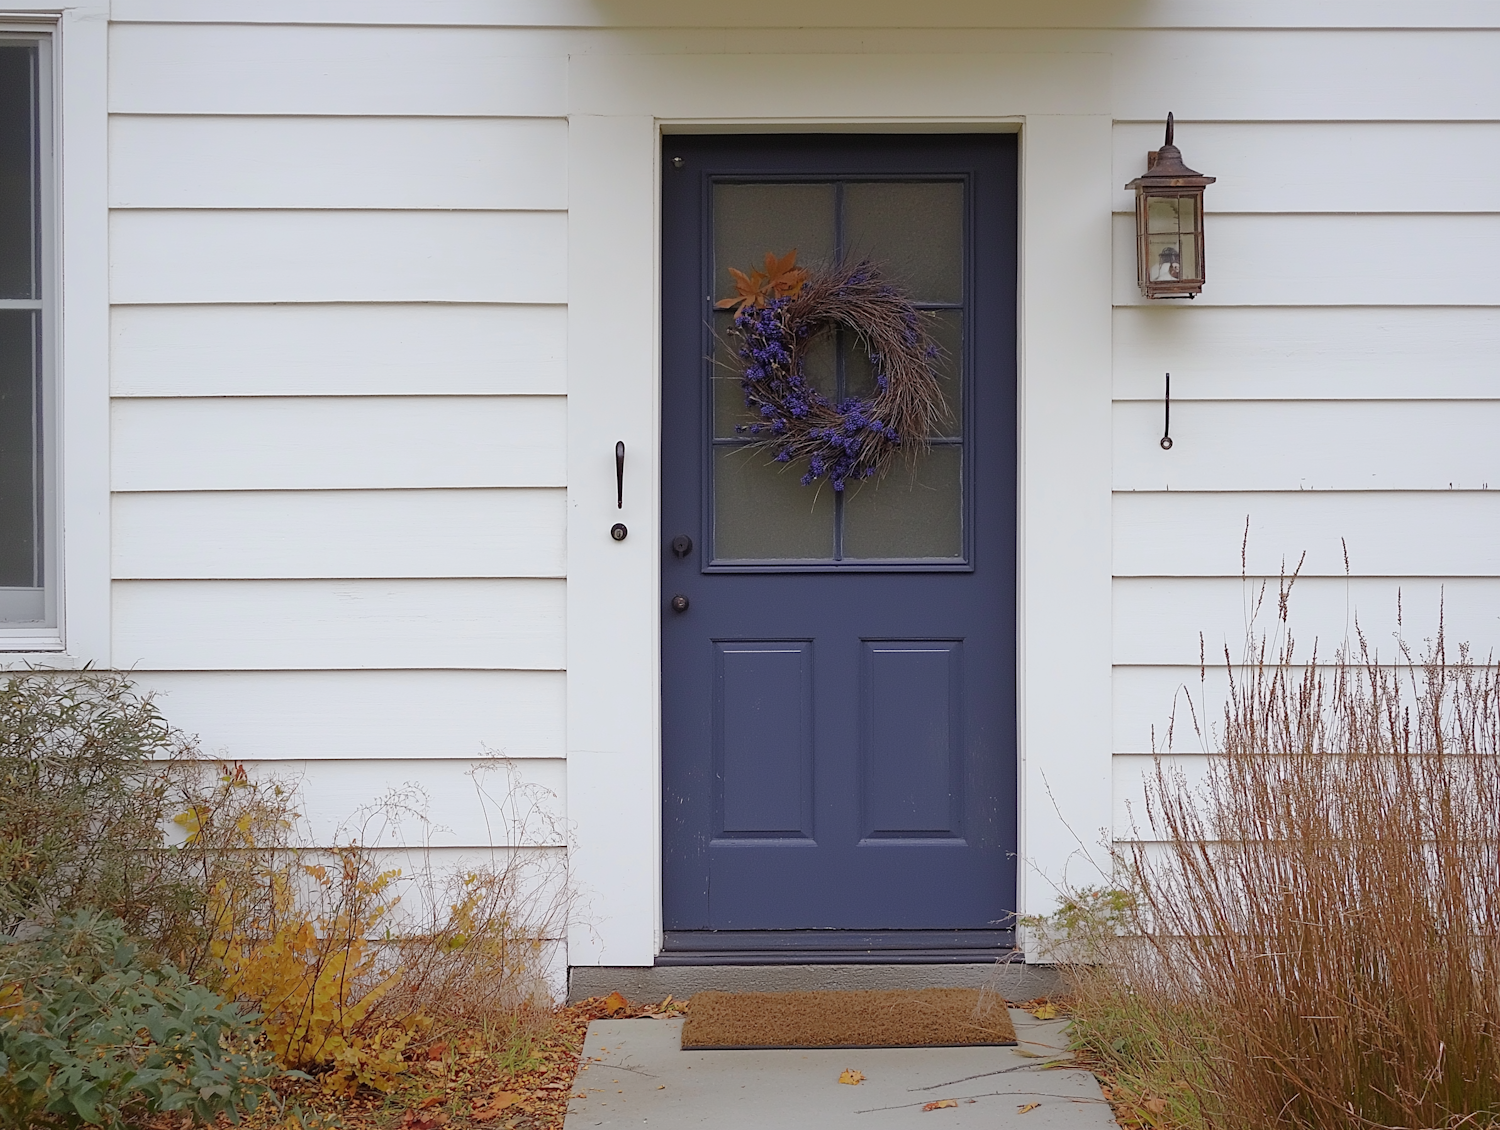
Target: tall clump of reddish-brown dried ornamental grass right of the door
<point>1319,928</point>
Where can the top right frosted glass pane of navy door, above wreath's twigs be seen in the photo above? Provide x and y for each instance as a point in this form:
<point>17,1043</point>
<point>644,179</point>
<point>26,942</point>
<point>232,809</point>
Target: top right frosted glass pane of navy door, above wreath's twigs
<point>913,230</point>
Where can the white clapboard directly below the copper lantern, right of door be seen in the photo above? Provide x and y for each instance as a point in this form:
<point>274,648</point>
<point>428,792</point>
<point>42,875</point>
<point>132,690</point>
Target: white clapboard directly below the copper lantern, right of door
<point>1270,353</point>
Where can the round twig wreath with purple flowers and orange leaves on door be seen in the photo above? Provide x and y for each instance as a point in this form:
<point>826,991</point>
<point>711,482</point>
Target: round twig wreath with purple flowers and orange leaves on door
<point>781,313</point>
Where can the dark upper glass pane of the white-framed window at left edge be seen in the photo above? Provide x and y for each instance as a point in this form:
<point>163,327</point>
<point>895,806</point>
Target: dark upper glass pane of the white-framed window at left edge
<point>20,190</point>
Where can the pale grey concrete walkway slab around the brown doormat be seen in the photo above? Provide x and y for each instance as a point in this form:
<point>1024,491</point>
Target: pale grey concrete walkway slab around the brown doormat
<point>635,1074</point>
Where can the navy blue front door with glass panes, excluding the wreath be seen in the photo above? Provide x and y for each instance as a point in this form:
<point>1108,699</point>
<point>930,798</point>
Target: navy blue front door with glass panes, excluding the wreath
<point>839,669</point>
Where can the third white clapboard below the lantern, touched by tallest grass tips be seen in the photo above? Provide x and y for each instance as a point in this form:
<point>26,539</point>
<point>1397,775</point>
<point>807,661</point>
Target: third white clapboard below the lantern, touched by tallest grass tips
<point>1397,533</point>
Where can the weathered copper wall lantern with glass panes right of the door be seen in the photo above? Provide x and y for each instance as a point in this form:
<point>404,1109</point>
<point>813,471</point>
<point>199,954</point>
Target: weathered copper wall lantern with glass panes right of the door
<point>1169,224</point>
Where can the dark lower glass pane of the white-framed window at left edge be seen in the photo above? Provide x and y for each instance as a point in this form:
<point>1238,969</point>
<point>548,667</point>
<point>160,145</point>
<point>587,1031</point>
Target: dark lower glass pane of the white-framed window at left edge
<point>20,452</point>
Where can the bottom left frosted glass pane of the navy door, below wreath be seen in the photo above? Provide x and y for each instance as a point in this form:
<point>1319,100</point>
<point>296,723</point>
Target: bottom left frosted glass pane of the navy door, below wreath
<point>763,511</point>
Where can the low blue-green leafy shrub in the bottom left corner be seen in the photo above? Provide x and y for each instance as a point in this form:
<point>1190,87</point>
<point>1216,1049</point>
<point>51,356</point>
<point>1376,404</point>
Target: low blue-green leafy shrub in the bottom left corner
<point>89,1036</point>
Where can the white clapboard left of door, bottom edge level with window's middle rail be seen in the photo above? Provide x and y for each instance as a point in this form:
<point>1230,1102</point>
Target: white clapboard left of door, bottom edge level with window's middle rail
<point>250,256</point>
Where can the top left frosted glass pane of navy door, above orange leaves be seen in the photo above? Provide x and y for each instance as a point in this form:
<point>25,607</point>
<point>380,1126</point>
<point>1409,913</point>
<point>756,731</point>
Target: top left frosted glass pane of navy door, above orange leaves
<point>754,220</point>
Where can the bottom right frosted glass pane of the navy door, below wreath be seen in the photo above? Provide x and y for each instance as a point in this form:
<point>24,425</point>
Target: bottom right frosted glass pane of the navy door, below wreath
<point>910,514</point>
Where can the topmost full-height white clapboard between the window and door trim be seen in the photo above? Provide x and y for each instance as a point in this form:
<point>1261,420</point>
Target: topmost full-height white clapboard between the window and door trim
<point>268,70</point>
